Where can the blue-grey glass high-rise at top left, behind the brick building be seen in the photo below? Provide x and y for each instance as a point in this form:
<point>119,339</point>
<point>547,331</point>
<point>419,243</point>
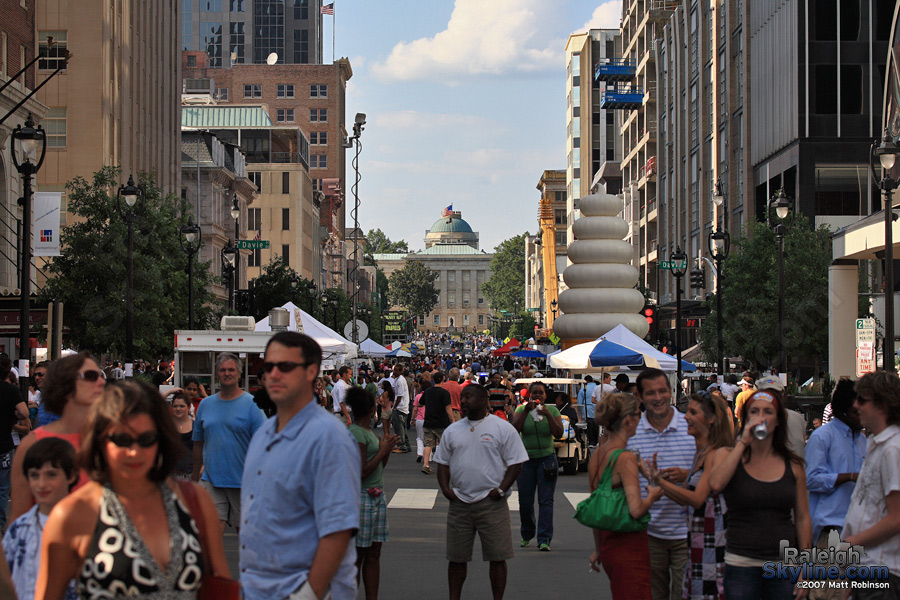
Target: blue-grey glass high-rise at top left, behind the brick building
<point>250,31</point>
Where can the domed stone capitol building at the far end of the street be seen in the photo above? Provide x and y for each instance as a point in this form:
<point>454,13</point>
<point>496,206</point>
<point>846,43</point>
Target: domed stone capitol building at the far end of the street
<point>451,249</point>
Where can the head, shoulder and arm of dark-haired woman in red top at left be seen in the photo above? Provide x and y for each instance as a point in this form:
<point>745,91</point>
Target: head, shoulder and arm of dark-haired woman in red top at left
<point>72,385</point>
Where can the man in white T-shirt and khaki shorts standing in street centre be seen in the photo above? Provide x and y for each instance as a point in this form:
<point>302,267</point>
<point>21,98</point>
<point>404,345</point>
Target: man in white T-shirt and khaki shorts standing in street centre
<point>478,460</point>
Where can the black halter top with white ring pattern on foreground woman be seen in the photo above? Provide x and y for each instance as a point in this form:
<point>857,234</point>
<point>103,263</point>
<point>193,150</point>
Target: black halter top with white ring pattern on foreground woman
<point>119,564</point>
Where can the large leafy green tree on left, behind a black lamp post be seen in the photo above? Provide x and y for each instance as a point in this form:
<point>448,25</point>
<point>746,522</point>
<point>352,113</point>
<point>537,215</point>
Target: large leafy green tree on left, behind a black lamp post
<point>90,274</point>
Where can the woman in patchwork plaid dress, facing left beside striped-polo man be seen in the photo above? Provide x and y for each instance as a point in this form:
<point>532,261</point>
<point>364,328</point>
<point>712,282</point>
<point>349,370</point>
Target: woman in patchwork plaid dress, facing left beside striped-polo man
<point>709,423</point>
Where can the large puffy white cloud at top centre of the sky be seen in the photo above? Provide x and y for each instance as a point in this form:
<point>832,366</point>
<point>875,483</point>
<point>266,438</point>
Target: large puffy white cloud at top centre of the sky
<point>482,38</point>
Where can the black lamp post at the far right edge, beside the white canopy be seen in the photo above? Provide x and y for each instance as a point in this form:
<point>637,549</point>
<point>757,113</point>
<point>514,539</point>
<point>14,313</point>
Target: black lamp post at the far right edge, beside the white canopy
<point>886,153</point>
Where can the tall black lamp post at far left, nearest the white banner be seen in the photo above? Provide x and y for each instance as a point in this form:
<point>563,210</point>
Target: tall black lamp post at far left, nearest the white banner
<point>29,148</point>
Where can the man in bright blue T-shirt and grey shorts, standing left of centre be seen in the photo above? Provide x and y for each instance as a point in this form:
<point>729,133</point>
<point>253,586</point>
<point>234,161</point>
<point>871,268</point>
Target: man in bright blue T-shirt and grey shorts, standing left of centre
<point>224,425</point>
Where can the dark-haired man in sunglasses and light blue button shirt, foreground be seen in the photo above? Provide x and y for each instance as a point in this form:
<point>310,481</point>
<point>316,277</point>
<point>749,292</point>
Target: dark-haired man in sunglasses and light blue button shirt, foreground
<point>301,487</point>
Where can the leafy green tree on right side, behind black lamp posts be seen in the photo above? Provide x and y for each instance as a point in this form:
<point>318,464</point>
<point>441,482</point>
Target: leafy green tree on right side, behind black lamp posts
<point>750,296</point>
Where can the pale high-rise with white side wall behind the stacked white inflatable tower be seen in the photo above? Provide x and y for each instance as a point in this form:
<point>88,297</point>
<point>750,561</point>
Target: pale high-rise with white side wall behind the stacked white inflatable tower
<point>592,138</point>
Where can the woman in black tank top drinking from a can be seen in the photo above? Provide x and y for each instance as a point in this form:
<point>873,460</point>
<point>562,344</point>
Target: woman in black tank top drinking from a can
<point>764,485</point>
